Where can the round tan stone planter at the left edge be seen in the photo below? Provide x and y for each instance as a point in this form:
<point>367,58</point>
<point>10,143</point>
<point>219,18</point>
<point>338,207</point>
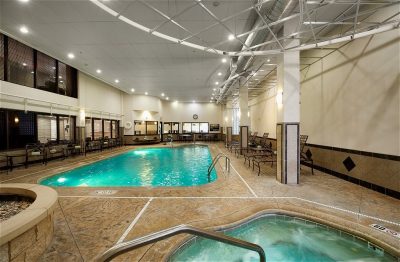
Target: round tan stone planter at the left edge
<point>25,236</point>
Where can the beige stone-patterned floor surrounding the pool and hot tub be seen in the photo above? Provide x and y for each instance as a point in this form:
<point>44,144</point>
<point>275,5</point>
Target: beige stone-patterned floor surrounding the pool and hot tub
<point>87,224</point>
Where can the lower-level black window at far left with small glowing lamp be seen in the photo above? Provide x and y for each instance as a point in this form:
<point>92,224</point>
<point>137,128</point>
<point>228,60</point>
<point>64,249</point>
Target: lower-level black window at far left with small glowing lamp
<point>21,129</point>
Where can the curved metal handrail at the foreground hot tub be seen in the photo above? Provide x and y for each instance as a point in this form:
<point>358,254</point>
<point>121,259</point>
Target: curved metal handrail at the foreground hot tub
<point>181,229</point>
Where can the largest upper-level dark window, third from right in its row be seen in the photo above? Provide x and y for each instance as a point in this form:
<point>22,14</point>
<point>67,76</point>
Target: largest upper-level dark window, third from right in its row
<point>20,64</point>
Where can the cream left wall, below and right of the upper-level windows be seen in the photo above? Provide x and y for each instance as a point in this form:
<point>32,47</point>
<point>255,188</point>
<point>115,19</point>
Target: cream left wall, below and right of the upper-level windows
<point>93,95</point>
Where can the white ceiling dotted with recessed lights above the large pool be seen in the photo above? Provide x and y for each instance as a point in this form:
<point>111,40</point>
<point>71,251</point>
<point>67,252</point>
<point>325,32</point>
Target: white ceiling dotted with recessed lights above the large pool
<point>140,60</point>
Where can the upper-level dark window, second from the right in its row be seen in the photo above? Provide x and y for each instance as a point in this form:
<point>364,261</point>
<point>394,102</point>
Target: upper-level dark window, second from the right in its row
<point>46,73</point>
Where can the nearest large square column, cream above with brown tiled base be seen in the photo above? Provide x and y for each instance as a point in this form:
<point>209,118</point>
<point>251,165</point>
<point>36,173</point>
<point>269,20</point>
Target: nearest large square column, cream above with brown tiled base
<point>288,111</point>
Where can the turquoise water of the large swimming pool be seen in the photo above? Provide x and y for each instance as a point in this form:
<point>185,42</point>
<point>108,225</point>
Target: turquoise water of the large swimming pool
<point>157,167</point>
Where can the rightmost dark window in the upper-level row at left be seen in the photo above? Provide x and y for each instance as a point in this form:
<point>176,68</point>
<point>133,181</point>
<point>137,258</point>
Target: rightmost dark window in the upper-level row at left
<point>67,80</point>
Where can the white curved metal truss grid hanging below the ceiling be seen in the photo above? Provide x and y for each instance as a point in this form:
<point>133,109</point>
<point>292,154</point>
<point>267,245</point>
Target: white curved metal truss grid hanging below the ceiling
<point>306,14</point>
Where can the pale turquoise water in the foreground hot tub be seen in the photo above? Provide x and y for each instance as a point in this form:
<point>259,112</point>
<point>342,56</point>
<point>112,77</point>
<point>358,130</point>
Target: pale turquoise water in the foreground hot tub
<point>284,238</point>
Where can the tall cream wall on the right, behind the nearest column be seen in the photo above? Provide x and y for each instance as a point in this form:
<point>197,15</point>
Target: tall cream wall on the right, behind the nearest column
<point>349,99</point>
